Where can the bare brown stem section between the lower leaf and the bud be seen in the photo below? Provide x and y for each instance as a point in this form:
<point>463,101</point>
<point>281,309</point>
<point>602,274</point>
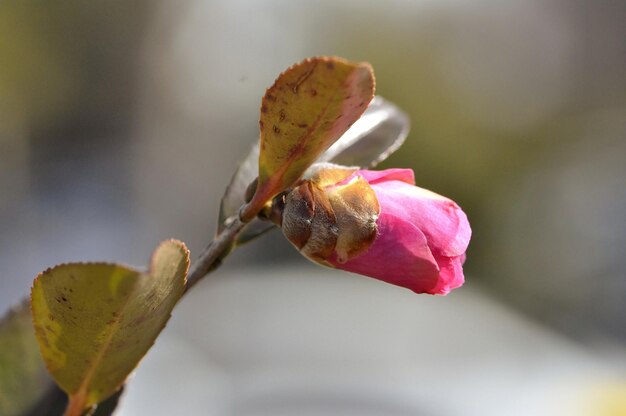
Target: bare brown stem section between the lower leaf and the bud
<point>211,258</point>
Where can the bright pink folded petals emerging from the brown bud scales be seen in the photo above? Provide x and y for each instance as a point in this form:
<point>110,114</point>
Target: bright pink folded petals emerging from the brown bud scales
<point>421,237</point>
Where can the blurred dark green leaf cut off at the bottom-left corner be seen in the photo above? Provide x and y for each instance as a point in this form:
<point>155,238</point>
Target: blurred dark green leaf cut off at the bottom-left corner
<point>24,379</point>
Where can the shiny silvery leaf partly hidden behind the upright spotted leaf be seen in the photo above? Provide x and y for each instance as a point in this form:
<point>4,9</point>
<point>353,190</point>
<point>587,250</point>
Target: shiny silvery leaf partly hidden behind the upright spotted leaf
<point>379,132</point>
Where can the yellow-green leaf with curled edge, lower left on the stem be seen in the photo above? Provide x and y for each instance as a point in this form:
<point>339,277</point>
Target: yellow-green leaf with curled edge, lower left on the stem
<point>95,321</point>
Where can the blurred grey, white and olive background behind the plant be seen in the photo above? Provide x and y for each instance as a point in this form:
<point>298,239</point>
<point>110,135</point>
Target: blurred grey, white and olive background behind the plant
<point>121,123</point>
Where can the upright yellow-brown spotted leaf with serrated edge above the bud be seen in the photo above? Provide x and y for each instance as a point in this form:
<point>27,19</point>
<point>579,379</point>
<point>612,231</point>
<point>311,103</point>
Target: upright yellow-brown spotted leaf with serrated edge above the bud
<point>307,109</point>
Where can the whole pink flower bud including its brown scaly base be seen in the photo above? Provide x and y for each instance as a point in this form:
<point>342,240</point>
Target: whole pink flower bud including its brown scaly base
<point>379,224</point>
